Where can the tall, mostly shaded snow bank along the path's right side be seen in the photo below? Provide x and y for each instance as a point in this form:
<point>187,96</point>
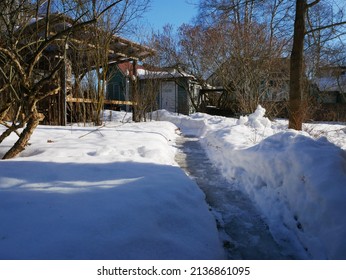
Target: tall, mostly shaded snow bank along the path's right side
<point>298,183</point>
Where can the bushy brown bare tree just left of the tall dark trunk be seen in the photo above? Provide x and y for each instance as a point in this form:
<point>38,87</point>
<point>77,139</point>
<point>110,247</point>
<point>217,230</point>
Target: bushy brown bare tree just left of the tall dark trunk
<point>248,62</point>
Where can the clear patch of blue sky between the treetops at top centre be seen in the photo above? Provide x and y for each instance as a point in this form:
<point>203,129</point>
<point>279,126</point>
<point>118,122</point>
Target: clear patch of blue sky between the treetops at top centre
<point>175,12</point>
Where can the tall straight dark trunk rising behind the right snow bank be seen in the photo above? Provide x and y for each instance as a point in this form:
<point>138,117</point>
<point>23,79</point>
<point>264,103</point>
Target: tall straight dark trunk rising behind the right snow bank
<point>296,68</point>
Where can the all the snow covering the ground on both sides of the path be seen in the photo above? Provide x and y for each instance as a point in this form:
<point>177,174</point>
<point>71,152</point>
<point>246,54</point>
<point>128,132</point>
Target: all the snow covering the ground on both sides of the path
<point>116,192</point>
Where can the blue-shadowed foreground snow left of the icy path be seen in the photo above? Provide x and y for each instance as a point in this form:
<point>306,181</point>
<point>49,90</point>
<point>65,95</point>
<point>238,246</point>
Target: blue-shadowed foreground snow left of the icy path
<point>103,211</point>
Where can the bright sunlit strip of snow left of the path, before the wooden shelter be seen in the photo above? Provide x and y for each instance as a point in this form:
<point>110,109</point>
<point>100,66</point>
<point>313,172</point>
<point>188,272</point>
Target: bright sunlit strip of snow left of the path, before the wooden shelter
<point>144,142</point>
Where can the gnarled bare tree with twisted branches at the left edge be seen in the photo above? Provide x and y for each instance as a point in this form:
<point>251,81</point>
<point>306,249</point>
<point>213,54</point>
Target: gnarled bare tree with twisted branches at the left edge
<point>30,32</point>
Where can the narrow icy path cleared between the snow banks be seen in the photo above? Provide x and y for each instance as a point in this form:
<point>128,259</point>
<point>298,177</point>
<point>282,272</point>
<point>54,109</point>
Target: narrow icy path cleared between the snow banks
<point>244,233</point>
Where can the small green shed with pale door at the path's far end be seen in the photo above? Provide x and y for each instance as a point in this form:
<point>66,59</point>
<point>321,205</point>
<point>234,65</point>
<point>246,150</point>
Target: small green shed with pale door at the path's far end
<point>168,89</point>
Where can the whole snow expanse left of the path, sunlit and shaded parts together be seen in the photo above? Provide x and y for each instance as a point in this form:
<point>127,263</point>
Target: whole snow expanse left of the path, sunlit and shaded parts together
<point>109,193</point>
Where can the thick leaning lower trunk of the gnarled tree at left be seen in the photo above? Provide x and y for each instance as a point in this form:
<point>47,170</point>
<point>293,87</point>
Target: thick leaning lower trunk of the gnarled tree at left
<point>24,137</point>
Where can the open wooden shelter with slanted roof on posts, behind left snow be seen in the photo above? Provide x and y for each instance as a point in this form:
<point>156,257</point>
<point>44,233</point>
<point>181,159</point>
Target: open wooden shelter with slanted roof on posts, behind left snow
<point>87,55</point>
